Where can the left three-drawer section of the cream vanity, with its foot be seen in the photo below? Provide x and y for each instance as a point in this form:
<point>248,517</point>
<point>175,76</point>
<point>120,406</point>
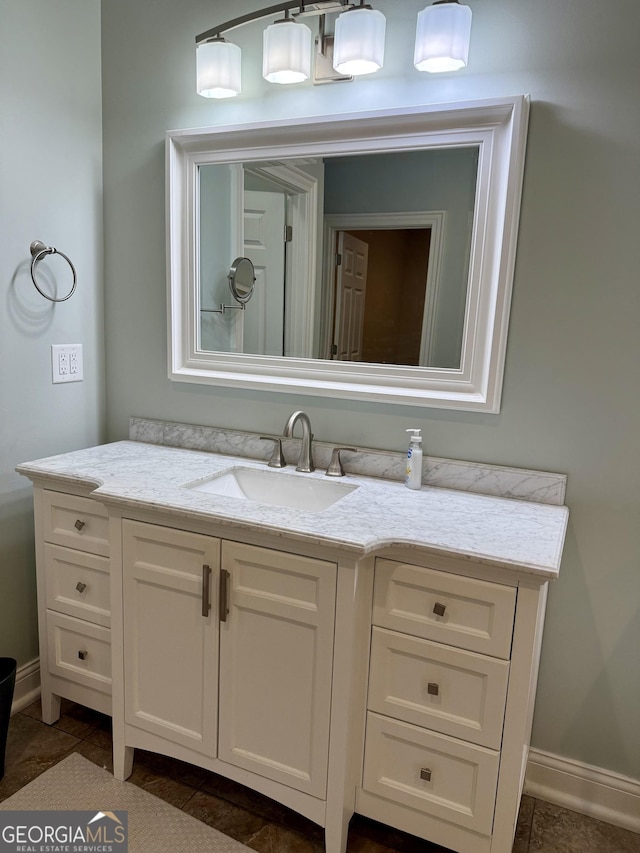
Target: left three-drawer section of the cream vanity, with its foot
<point>74,612</point>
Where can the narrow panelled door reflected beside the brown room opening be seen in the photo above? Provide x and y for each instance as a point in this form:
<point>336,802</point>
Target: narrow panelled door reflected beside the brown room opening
<point>351,286</point>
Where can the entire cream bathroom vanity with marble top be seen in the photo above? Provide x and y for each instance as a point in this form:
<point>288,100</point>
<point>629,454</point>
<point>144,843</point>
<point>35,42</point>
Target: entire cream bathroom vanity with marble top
<point>378,655</point>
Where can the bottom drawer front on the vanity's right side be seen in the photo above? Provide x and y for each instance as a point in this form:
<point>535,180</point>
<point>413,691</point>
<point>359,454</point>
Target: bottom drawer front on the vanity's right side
<point>434,774</point>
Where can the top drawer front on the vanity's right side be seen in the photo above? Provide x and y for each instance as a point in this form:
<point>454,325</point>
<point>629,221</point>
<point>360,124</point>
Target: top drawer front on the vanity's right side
<point>451,609</point>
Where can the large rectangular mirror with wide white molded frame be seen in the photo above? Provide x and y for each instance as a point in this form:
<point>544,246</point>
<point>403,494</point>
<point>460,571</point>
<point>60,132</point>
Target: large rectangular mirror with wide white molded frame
<point>383,245</point>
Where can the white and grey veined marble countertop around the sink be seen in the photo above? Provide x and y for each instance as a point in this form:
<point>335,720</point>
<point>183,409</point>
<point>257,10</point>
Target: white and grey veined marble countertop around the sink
<point>524,535</point>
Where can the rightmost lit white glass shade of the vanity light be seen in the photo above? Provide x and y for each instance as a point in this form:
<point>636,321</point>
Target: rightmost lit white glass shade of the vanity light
<point>442,37</point>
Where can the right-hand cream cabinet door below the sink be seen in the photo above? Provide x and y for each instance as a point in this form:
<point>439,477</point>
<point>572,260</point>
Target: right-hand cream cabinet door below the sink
<point>276,652</point>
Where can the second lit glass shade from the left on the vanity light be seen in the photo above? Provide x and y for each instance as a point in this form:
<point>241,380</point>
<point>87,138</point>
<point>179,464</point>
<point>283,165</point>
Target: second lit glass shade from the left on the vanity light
<point>286,52</point>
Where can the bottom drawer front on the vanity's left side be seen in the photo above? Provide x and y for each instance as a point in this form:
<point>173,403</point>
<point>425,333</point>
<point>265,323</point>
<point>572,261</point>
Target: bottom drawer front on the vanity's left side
<point>79,651</point>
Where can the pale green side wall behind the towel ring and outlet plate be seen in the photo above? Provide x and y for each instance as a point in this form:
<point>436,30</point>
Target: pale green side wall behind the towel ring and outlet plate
<point>50,190</point>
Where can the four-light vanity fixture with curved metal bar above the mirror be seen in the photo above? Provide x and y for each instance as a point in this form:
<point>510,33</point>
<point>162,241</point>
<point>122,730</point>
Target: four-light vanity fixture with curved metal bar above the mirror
<point>356,46</point>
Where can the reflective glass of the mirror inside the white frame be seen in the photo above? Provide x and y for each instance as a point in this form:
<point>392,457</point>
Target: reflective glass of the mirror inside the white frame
<point>357,258</point>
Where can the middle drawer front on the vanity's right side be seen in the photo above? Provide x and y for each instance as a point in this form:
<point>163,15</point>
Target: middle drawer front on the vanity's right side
<point>455,692</point>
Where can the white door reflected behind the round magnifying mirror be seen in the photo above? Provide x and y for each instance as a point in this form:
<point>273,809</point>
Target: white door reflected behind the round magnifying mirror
<point>264,221</point>
